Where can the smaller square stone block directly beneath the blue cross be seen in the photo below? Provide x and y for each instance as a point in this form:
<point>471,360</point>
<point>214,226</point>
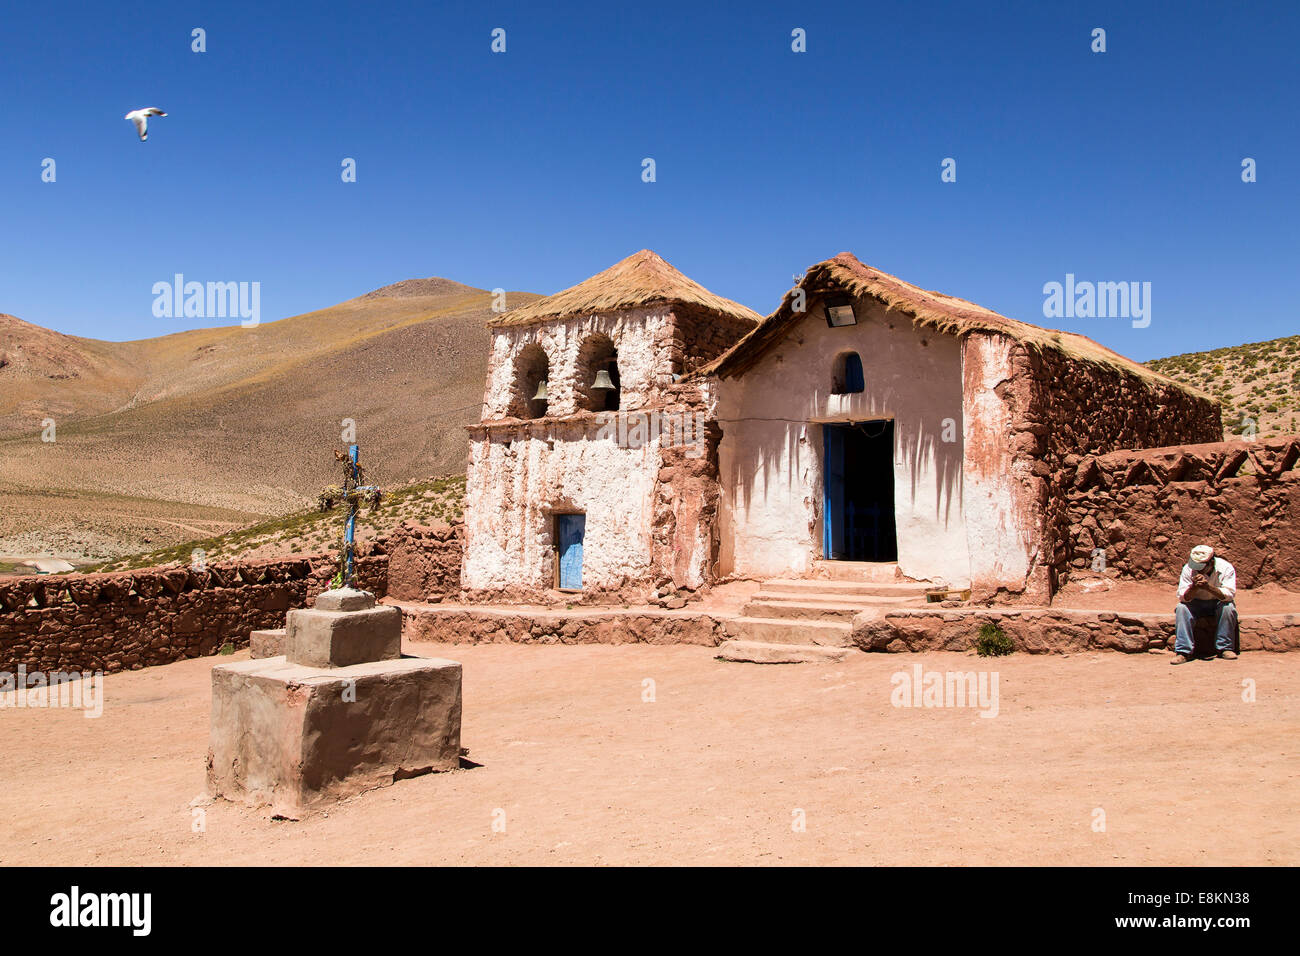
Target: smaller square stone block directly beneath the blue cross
<point>341,639</point>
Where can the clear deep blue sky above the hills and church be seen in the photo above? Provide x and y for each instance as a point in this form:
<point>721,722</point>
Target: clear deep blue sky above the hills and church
<point>525,170</point>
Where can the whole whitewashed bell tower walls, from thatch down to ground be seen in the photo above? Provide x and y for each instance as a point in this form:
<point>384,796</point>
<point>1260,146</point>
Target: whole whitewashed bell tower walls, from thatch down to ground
<point>649,503</point>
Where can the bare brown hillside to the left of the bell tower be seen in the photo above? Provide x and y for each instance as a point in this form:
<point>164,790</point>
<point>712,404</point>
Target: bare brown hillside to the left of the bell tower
<point>193,435</point>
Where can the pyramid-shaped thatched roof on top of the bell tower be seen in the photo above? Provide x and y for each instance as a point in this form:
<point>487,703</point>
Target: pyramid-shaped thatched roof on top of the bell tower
<point>643,279</point>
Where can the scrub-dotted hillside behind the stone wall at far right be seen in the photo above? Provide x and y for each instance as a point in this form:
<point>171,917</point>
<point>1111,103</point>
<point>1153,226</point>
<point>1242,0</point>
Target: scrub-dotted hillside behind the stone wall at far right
<point>1259,382</point>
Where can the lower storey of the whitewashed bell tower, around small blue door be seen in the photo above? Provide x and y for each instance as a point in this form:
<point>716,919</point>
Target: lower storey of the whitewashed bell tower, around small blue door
<point>645,479</point>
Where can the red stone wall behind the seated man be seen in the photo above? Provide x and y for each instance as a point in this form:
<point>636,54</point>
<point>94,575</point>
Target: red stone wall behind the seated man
<point>1145,511</point>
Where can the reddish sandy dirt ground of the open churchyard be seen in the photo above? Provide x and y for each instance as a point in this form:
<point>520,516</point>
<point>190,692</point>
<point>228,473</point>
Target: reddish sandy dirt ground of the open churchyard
<point>582,771</point>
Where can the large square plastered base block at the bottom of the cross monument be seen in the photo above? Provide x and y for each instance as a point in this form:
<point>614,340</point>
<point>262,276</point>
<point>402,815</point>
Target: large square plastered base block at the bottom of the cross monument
<point>294,738</point>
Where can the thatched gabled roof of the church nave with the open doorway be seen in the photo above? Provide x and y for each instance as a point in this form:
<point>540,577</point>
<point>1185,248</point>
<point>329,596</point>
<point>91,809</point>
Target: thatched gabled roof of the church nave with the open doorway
<point>929,310</point>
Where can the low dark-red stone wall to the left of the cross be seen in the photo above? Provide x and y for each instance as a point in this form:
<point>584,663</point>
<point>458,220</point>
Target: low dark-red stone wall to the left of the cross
<point>131,620</point>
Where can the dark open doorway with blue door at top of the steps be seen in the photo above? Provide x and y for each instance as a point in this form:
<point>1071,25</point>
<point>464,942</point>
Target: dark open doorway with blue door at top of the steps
<point>859,500</point>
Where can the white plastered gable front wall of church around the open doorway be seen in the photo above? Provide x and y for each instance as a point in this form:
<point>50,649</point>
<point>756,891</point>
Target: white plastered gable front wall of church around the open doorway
<point>772,447</point>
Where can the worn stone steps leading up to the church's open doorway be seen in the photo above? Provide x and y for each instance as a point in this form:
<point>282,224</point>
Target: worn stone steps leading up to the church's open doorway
<point>795,620</point>
